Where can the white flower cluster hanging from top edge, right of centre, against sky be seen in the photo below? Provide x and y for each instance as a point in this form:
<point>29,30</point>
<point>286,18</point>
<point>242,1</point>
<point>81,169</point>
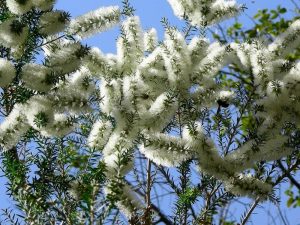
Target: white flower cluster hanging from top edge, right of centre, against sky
<point>202,13</point>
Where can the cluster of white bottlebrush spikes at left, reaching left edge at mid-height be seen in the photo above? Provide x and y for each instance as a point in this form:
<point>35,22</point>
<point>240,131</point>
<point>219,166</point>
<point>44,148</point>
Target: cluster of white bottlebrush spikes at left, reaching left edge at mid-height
<point>50,113</point>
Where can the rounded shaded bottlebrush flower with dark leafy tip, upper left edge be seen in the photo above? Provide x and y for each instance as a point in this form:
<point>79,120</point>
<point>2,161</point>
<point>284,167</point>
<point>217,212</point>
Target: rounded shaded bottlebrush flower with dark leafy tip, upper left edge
<point>12,33</point>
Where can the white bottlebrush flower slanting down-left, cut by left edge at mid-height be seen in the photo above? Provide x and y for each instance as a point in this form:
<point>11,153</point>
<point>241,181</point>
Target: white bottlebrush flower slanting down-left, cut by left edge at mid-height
<point>13,127</point>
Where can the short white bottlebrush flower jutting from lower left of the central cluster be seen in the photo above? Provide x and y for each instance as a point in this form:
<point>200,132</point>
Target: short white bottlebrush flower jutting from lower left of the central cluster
<point>99,134</point>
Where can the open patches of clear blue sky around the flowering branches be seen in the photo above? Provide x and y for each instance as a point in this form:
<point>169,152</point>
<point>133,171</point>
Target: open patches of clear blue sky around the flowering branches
<point>151,13</point>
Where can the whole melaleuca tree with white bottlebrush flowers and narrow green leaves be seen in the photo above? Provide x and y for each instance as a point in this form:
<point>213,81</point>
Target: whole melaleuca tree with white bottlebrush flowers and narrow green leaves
<point>86,136</point>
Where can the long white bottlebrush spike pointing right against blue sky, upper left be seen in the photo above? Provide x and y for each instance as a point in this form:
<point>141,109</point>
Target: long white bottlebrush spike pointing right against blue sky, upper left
<point>95,21</point>
